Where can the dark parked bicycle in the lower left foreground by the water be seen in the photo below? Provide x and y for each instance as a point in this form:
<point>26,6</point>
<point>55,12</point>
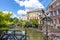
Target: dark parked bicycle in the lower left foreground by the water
<point>15,35</point>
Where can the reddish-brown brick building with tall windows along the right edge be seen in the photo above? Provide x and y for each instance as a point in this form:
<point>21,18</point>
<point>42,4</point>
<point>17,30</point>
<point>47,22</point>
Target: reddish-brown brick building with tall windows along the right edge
<point>54,10</point>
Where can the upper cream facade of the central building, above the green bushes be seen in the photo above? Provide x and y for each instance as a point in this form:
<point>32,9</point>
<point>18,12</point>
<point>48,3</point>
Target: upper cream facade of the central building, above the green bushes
<point>33,15</point>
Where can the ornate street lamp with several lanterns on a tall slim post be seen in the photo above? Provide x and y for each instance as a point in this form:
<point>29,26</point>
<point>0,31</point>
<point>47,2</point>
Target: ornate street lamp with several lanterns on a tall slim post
<point>46,21</point>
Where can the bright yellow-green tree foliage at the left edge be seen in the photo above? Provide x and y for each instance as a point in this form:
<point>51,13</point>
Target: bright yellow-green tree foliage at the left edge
<point>4,19</point>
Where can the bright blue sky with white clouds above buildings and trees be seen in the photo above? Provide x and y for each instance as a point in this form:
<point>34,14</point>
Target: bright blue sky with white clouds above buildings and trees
<point>20,7</point>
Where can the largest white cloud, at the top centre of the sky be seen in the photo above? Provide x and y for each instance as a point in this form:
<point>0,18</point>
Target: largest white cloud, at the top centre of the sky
<point>30,4</point>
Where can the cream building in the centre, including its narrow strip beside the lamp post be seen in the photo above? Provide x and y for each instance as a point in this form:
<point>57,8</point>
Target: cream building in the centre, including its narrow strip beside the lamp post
<point>31,15</point>
